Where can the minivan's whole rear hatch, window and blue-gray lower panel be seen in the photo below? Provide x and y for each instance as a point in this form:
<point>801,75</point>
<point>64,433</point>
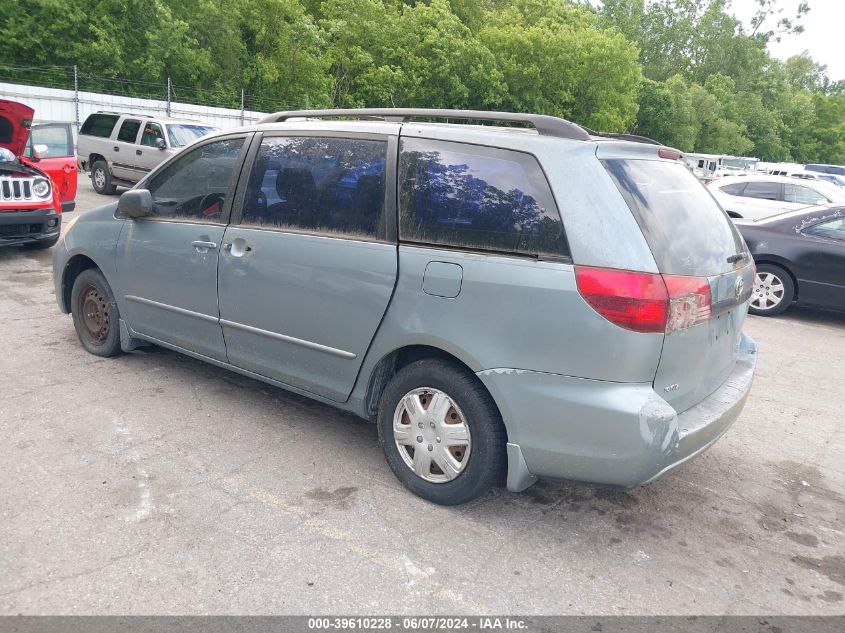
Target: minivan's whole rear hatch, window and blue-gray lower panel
<point>690,237</point>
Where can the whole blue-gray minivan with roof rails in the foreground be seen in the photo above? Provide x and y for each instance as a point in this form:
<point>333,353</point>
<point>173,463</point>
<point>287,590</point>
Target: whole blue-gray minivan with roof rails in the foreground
<point>500,303</point>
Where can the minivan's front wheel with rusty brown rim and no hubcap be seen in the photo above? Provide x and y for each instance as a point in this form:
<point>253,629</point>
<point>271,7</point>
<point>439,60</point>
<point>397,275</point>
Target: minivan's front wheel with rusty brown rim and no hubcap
<point>95,314</point>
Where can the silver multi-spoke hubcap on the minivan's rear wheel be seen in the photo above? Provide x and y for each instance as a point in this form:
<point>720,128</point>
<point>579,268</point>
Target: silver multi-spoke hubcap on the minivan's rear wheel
<point>431,434</point>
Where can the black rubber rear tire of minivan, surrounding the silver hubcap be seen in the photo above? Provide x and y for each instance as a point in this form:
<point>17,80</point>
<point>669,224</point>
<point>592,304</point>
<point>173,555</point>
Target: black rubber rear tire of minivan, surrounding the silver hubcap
<point>486,456</point>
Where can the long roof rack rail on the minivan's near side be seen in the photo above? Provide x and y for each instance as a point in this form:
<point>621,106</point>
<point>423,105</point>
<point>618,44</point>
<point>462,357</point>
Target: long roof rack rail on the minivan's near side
<point>544,124</point>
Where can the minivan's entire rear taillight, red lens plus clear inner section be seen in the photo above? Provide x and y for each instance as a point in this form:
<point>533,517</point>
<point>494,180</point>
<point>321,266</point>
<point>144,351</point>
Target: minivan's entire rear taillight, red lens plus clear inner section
<point>645,302</point>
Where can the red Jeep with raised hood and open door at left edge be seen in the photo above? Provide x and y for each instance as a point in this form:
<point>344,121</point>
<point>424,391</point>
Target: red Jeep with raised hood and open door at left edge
<point>37,177</point>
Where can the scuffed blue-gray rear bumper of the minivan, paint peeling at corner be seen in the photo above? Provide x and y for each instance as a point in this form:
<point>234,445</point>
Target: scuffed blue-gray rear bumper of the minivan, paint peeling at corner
<point>619,434</point>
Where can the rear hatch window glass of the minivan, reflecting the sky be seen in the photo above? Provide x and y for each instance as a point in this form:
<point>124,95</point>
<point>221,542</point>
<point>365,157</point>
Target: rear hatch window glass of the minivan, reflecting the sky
<point>686,230</point>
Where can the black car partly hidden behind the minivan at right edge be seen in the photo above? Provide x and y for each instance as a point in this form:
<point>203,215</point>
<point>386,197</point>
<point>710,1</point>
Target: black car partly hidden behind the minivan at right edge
<point>800,259</point>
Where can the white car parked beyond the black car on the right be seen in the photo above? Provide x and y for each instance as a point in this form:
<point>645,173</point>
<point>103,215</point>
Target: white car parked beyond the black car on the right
<point>758,197</point>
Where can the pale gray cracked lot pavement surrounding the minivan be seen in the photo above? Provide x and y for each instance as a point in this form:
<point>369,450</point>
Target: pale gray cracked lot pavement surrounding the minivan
<point>153,483</point>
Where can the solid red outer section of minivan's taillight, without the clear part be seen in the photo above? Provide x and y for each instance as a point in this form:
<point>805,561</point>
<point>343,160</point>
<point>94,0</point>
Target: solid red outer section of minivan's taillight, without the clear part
<point>635,301</point>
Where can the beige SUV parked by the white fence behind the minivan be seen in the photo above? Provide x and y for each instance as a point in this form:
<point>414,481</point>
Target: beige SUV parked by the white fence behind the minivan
<point>120,149</point>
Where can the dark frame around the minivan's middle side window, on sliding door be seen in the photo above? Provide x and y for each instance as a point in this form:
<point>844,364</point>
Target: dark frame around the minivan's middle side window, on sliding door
<point>387,233</point>
